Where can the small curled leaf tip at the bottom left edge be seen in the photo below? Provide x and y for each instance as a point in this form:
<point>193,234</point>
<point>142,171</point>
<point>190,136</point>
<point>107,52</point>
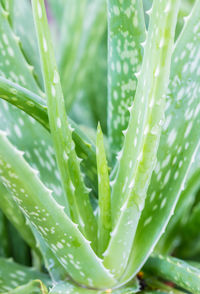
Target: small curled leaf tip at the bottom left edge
<point>33,287</point>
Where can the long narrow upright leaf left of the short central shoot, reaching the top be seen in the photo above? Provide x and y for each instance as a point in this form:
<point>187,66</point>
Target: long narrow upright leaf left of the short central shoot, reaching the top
<point>80,208</point>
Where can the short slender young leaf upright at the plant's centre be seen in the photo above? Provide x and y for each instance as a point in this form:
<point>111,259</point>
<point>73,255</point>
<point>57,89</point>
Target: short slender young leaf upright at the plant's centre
<point>104,217</point>
